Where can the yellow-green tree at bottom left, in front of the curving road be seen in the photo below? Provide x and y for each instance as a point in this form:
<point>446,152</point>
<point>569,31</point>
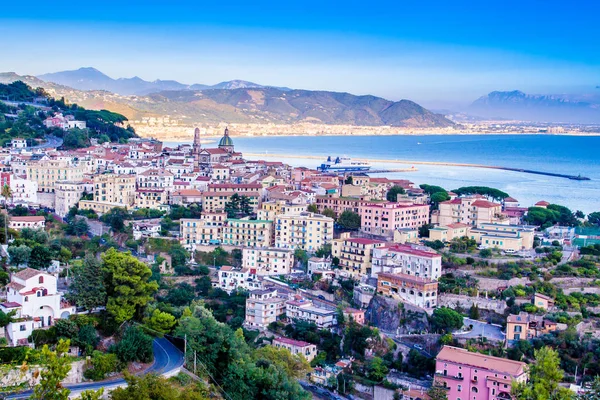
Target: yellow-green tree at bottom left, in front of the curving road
<point>55,368</point>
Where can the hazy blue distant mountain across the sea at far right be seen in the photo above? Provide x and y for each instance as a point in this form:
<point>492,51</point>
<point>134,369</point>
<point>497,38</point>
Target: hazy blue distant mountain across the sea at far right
<point>583,109</point>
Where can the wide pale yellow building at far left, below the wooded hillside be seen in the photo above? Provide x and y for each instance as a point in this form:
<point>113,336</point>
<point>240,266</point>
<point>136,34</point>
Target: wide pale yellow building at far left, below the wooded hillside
<point>47,172</point>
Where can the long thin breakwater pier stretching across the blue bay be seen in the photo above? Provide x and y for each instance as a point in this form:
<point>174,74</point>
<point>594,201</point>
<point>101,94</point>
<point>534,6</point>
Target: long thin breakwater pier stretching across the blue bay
<point>412,169</point>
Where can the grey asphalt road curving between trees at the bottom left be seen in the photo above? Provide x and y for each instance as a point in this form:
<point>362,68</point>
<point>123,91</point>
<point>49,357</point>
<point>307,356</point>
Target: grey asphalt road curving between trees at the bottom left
<point>167,358</point>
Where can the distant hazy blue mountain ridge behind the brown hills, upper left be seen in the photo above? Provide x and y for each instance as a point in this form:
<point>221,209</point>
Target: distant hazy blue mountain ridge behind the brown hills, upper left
<point>89,78</point>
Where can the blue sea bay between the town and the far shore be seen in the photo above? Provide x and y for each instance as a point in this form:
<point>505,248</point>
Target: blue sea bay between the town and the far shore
<point>572,155</point>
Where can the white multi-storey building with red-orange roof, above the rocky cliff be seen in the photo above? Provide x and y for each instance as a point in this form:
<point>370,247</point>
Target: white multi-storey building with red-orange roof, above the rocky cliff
<point>405,259</point>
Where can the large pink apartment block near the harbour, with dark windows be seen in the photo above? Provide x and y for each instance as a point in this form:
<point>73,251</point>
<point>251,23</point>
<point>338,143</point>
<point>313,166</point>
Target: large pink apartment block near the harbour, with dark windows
<point>386,217</point>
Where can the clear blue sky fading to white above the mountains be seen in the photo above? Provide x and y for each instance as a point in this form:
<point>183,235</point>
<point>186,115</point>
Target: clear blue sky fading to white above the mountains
<point>438,53</point>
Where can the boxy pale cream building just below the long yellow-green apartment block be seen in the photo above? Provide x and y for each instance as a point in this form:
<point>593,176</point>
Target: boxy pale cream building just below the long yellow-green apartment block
<point>268,260</point>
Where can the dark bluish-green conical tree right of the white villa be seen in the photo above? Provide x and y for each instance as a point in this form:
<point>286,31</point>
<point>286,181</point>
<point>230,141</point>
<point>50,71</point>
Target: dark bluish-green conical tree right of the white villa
<point>87,289</point>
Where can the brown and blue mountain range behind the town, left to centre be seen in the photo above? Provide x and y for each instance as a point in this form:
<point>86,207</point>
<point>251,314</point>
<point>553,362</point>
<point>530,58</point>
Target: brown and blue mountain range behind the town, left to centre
<point>232,102</point>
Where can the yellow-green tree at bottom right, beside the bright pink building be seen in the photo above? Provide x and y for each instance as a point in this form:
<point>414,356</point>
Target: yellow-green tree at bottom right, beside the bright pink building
<point>544,378</point>
